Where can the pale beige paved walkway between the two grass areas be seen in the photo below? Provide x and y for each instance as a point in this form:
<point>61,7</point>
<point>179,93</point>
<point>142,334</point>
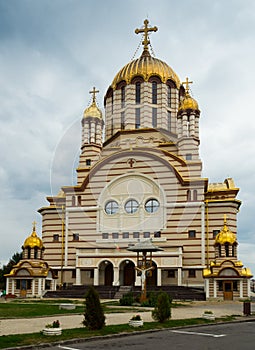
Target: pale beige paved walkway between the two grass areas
<point>192,310</point>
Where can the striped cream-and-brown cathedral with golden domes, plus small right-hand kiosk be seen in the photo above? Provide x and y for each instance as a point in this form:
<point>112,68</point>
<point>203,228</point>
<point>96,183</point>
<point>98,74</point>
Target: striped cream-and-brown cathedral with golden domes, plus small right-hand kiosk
<point>139,179</point>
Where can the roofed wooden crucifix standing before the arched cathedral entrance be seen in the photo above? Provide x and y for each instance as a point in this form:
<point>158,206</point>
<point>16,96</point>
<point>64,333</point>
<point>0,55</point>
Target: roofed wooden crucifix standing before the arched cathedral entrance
<point>144,261</point>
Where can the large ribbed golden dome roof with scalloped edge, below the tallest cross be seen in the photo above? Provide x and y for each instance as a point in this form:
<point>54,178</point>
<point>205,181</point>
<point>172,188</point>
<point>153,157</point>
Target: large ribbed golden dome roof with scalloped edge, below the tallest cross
<point>146,66</point>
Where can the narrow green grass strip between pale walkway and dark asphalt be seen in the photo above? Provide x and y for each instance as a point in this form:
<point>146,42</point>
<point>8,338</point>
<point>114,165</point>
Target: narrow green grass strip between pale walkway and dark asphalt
<point>83,333</point>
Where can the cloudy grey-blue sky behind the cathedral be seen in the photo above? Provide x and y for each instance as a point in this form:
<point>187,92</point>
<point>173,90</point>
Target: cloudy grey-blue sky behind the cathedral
<point>52,52</point>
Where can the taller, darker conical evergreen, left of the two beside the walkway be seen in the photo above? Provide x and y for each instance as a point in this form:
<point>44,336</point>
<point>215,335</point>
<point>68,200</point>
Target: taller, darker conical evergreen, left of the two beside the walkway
<point>94,317</point>
